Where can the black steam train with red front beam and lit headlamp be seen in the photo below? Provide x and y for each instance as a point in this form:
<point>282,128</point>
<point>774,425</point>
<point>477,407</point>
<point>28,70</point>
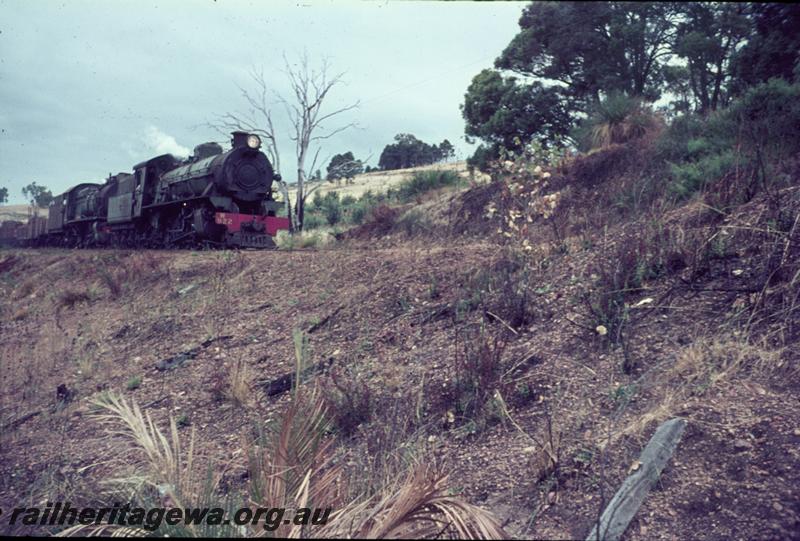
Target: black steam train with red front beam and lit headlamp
<point>213,198</point>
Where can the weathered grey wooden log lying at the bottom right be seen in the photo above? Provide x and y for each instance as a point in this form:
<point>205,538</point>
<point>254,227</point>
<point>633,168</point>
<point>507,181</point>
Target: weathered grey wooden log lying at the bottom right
<point>626,502</point>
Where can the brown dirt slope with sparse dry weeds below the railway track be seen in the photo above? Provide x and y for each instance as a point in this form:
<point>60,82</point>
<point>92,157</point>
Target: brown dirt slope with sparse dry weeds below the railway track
<point>401,324</point>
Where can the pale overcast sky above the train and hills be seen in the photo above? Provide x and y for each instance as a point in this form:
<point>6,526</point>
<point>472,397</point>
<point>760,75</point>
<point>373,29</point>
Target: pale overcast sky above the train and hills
<point>91,87</point>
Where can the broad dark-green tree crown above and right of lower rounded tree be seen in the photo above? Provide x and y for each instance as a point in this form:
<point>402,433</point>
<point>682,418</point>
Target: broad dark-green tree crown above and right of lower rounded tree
<point>594,48</point>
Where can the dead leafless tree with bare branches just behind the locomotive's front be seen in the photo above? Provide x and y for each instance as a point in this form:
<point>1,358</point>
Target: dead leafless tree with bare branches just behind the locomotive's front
<point>304,109</point>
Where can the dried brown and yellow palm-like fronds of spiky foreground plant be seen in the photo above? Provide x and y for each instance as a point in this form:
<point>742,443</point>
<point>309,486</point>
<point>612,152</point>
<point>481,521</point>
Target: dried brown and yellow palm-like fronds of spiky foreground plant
<point>291,467</point>
